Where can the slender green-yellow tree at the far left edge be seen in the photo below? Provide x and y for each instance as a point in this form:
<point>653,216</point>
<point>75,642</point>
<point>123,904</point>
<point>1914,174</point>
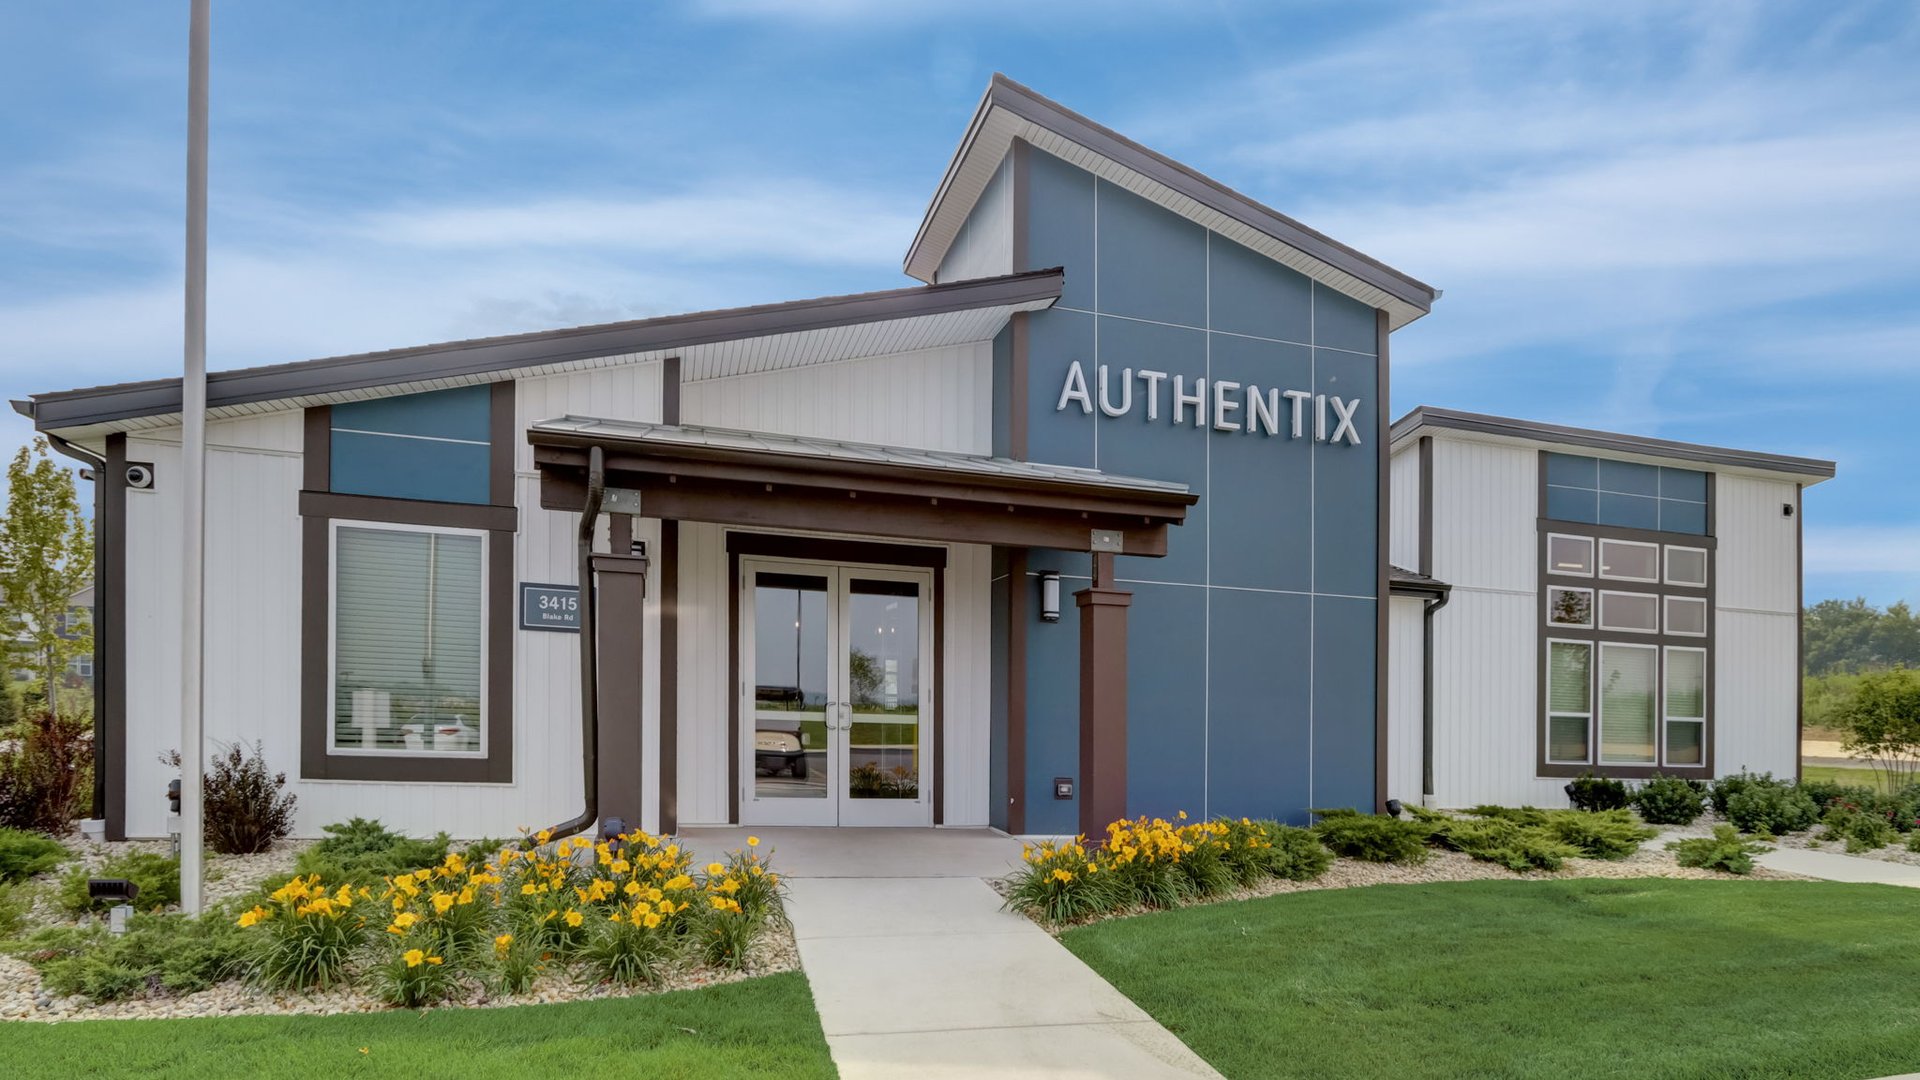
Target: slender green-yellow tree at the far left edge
<point>47,554</point>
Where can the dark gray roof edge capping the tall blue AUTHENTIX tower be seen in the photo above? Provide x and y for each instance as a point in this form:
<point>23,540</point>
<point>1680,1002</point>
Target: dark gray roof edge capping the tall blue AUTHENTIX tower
<point>1186,180</point>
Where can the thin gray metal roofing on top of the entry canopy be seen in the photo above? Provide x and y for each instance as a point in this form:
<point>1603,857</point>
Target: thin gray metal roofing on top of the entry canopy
<point>804,449</point>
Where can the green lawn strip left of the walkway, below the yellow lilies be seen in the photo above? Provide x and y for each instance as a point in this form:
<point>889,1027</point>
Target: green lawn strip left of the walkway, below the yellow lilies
<point>763,1027</point>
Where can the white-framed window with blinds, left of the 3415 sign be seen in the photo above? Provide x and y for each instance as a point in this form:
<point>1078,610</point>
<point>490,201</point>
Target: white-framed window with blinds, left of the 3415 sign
<point>410,641</point>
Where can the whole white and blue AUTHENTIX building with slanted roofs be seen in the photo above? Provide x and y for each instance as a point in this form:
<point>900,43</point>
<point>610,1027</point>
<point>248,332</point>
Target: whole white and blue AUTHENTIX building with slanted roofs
<point>1107,516</point>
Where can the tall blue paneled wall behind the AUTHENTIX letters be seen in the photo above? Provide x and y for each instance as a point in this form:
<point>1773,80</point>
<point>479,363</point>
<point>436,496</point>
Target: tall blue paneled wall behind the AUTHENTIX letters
<point>1253,641</point>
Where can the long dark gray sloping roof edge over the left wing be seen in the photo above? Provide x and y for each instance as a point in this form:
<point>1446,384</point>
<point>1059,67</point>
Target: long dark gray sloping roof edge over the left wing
<point>479,356</point>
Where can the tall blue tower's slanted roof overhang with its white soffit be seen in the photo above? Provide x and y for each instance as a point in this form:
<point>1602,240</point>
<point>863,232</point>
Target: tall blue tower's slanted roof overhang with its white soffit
<point>1009,110</point>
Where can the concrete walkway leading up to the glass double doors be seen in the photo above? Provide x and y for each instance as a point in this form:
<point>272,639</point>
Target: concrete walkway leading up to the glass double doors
<point>917,970</point>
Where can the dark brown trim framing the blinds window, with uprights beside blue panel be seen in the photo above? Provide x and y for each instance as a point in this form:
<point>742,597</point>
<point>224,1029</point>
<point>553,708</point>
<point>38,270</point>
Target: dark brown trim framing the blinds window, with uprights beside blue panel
<point>320,508</point>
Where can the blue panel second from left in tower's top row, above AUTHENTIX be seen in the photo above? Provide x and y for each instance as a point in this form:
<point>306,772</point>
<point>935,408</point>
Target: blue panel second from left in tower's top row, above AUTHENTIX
<point>1153,262</point>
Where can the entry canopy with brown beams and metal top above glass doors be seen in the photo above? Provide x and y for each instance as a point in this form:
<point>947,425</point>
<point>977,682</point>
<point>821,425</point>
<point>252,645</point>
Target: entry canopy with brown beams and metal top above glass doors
<point>777,481</point>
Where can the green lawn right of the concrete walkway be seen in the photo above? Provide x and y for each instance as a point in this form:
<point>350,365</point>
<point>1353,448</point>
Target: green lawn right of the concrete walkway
<point>1564,979</point>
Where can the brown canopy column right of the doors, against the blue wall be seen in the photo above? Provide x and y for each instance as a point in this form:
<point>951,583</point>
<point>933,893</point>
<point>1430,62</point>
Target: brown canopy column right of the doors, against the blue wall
<point>1103,702</point>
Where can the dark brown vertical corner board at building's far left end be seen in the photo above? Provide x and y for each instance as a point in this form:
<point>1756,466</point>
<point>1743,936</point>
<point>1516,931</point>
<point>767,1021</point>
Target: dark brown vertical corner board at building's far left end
<point>110,637</point>
